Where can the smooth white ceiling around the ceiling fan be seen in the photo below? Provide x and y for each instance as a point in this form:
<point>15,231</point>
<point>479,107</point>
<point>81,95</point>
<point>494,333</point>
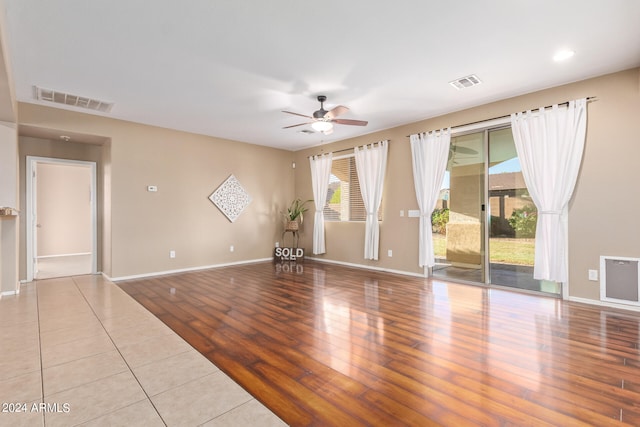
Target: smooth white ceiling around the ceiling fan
<point>227,68</point>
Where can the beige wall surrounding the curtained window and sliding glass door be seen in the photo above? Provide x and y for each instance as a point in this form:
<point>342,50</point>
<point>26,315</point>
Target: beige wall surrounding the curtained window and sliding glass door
<point>598,224</point>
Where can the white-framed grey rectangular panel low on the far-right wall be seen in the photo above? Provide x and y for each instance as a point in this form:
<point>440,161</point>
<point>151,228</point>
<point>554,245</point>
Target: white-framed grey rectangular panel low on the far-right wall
<point>620,280</point>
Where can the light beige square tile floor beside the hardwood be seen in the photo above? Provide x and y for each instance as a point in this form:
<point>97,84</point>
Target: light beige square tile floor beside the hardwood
<point>80,351</point>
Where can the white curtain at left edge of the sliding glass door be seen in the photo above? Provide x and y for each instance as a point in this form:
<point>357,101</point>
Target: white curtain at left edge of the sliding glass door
<point>430,152</point>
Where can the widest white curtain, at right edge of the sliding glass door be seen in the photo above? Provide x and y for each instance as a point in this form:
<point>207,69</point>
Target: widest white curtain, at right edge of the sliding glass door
<point>550,143</point>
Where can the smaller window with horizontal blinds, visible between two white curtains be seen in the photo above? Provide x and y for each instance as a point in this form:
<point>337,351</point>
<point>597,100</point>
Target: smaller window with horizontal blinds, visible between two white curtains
<point>344,200</point>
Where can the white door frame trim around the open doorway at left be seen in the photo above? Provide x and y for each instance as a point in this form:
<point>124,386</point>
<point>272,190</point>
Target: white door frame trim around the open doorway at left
<point>31,206</point>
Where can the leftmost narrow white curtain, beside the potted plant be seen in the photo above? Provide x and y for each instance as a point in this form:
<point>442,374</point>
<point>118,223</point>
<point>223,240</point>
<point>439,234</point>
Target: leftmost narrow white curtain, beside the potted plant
<point>320,172</point>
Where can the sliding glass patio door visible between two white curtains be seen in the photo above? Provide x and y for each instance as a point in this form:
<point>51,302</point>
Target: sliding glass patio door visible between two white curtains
<point>485,221</point>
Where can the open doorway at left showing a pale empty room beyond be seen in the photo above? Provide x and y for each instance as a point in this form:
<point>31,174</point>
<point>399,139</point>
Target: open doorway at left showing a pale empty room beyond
<point>61,218</point>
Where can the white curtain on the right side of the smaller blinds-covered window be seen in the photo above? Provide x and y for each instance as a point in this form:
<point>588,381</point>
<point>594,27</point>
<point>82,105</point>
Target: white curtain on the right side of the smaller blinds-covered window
<point>371,164</point>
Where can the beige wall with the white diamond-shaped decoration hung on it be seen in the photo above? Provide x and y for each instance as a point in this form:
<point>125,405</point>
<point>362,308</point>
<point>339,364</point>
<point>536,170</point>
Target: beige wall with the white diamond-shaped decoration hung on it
<point>143,226</point>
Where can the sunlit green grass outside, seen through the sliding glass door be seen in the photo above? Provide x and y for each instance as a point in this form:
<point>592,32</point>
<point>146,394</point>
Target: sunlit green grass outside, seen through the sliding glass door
<point>502,250</point>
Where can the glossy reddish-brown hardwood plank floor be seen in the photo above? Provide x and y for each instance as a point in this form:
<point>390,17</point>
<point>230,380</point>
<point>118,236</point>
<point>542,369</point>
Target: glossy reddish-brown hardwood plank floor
<point>323,344</point>
